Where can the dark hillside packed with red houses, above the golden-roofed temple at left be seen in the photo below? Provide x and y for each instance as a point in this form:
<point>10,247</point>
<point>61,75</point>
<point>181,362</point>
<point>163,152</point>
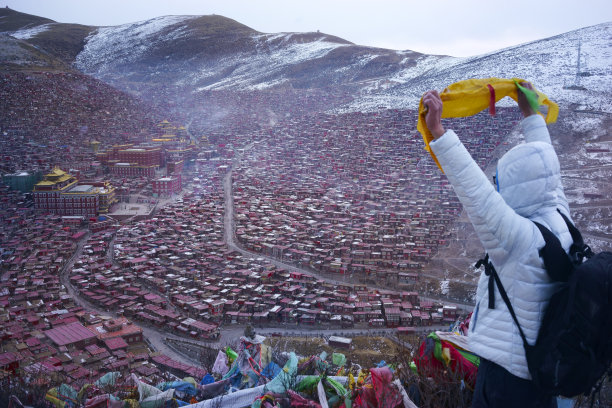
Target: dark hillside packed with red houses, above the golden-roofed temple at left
<point>56,119</point>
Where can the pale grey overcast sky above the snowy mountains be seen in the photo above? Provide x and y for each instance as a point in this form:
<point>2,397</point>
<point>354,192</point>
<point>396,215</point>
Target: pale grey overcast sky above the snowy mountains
<point>453,27</point>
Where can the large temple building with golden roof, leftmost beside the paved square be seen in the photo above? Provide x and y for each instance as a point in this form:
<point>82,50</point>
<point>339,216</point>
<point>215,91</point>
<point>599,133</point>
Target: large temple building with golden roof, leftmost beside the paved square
<point>61,193</point>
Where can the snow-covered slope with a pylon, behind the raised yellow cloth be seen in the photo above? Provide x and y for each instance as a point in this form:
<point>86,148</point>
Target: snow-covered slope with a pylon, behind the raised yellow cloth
<point>550,63</point>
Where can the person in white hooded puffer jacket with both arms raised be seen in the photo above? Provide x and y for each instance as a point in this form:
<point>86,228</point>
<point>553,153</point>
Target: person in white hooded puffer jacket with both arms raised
<point>527,188</point>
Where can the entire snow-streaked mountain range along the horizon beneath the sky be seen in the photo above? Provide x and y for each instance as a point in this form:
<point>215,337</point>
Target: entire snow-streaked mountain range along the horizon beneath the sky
<point>197,53</point>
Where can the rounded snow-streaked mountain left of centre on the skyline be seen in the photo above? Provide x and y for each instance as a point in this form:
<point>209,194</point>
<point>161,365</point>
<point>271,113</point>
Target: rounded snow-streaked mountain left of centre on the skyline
<point>230,56</point>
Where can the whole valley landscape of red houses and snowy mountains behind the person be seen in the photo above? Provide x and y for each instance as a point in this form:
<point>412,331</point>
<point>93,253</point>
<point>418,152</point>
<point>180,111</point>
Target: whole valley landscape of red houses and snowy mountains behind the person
<point>169,182</point>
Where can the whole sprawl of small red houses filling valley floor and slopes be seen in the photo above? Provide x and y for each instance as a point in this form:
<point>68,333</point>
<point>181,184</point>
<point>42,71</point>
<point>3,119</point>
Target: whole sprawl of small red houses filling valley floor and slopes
<point>349,194</point>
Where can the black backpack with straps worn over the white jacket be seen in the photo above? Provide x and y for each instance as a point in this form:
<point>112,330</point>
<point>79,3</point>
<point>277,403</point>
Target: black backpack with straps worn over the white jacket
<point>574,345</point>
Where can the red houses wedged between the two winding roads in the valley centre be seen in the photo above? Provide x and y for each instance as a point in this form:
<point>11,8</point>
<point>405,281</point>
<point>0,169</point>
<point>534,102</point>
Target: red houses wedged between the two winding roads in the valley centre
<point>174,270</point>
